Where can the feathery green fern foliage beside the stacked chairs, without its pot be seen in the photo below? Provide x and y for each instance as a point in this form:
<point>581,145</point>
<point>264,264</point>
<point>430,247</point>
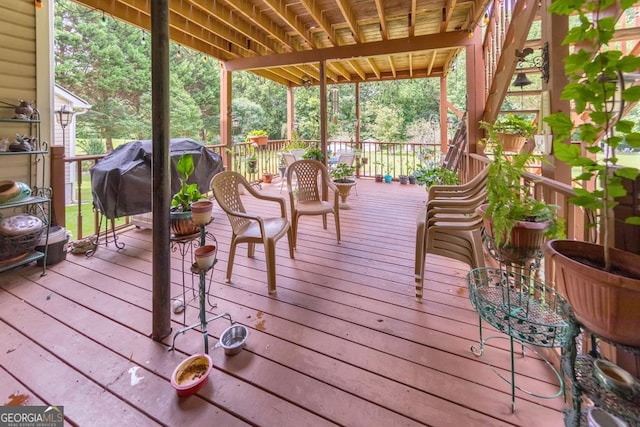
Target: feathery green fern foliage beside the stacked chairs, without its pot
<point>508,199</point>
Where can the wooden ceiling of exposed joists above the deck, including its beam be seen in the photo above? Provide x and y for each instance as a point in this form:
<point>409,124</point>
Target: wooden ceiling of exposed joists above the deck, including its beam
<point>285,40</point>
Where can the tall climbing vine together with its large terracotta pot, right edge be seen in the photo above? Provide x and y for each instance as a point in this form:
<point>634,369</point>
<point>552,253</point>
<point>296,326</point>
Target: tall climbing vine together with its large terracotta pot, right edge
<point>602,284</point>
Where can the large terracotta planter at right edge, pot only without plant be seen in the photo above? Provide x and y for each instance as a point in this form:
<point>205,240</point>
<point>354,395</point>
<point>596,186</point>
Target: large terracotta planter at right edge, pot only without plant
<point>608,304</point>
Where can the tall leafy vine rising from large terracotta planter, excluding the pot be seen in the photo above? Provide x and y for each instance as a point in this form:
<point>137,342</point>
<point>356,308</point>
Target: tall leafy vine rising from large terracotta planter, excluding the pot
<point>595,75</point>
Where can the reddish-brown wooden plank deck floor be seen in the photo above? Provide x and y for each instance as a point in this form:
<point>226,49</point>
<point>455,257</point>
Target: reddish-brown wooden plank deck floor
<point>343,342</point>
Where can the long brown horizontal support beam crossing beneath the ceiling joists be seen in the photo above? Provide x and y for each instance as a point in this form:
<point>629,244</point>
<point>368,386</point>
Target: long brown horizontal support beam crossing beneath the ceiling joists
<point>386,47</point>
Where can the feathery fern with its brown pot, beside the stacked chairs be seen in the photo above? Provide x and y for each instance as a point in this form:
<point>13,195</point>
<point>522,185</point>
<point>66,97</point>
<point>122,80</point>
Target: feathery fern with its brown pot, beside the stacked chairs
<point>516,223</point>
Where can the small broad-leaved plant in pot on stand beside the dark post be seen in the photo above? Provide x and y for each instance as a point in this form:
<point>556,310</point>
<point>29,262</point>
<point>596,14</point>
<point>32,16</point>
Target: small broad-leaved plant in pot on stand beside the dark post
<point>180,215</point>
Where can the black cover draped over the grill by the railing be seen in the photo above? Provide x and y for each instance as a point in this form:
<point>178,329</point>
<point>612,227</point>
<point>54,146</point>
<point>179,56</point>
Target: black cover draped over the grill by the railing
<point>121,181</point>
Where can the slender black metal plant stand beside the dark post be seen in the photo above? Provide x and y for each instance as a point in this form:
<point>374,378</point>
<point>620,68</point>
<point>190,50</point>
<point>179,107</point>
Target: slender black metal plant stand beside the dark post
<point>185,245</point>
